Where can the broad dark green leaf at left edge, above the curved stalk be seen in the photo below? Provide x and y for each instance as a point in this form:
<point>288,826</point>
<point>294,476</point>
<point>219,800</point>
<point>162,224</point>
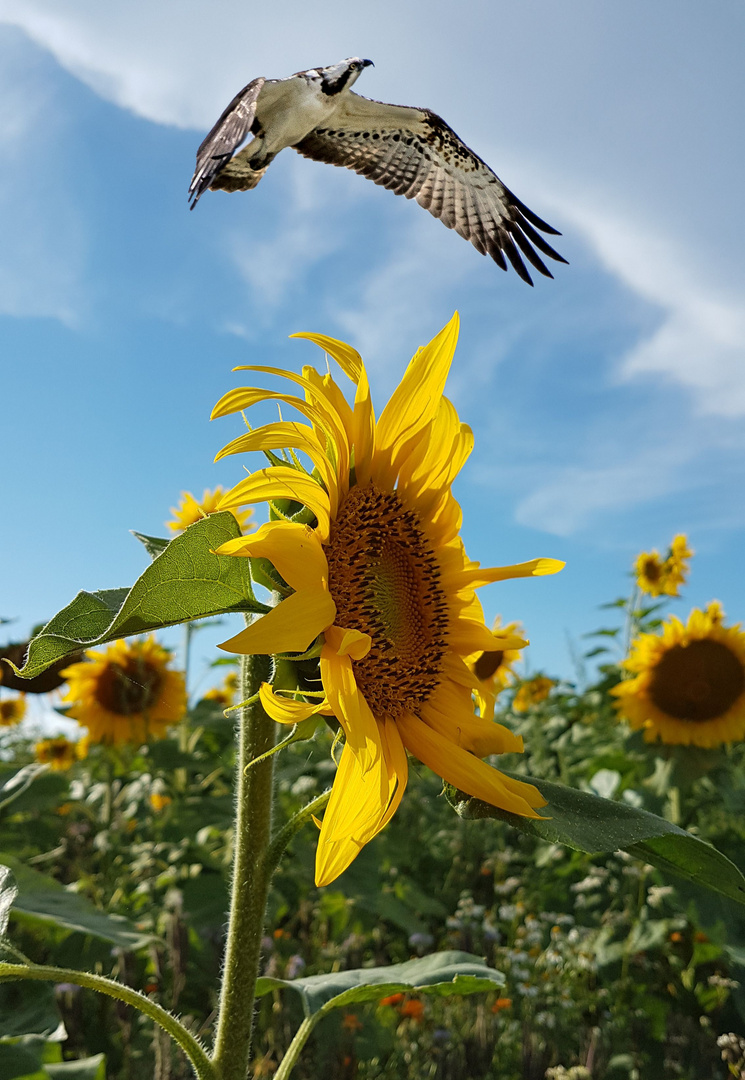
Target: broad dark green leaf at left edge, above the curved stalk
<point>43,899</point>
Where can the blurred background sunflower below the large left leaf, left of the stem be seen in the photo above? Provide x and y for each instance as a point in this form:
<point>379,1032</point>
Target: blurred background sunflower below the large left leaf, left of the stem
<point>127,694</point>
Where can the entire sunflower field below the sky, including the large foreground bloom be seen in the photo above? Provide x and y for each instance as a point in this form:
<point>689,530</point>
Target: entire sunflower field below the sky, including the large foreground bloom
<point>376,847</point>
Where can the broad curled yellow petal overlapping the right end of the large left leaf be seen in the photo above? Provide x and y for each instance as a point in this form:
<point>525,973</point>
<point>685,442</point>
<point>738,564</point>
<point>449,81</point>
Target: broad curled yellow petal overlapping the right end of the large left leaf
<point>293,549</point>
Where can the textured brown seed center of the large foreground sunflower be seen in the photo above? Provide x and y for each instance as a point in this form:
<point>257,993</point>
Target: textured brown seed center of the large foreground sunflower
<point>385,580</point>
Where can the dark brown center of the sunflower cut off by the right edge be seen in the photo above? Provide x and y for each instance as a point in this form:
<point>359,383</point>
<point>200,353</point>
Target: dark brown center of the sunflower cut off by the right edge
<point>698,682</point>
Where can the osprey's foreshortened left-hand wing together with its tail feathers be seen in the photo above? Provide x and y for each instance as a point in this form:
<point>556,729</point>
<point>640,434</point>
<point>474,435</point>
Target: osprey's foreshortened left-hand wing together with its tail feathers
<point>220,145</point>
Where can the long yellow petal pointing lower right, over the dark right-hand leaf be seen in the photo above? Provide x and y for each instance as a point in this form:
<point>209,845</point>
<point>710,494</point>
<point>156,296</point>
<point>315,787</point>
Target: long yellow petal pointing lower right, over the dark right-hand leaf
<point>467,773</point>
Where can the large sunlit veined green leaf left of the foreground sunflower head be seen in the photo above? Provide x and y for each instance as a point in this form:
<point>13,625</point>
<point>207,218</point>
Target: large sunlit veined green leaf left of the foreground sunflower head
<point>187,582</point>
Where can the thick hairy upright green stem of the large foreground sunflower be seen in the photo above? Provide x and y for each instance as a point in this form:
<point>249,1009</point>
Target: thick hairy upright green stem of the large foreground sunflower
<point>251,879</point>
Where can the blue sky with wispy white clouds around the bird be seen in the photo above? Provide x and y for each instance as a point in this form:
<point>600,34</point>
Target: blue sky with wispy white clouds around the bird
<point>608,406</point>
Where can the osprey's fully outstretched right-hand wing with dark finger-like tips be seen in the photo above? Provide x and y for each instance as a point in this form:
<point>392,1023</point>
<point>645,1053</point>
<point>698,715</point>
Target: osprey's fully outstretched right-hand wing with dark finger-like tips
<point>415,154</point>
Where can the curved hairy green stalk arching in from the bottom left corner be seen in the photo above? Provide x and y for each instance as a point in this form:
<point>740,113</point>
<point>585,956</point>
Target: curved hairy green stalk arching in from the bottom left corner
<point>191,1046</point>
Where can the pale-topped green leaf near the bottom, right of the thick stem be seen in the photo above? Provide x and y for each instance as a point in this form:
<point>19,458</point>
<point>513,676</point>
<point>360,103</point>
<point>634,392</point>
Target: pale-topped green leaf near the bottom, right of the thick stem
<point>441,975</point>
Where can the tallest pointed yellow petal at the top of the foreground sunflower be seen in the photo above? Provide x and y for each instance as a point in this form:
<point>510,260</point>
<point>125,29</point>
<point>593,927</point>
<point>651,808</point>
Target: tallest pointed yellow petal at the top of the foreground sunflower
<point>415,401</point>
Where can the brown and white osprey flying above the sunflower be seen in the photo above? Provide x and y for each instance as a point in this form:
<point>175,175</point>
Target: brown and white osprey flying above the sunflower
<point>412,152</point>
